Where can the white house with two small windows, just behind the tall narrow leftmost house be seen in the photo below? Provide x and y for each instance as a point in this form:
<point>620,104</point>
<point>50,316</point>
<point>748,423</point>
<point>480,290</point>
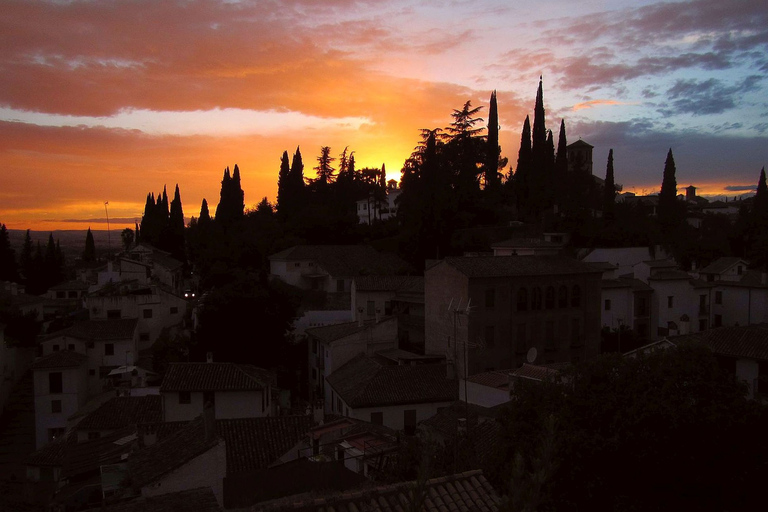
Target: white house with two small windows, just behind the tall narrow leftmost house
<point>108,344</point>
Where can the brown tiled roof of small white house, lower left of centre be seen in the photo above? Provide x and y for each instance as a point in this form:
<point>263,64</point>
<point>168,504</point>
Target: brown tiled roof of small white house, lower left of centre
<point>215,377</point>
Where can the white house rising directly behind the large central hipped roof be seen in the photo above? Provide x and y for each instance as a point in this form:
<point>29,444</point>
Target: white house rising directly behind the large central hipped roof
<point>331,346</point>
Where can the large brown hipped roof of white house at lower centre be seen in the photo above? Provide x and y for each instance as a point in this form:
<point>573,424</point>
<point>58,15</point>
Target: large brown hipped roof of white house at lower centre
<point>364,381</point>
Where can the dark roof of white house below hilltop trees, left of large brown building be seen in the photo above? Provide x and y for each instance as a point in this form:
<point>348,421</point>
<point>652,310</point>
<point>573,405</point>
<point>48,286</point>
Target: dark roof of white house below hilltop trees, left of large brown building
<point>345,260</point>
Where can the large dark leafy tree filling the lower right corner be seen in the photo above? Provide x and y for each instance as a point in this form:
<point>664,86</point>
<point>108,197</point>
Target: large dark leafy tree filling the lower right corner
<point>605,418</point>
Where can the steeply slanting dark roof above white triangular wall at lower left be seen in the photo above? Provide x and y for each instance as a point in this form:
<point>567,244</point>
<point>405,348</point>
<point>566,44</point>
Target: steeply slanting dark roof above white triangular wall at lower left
<point>181,446</point>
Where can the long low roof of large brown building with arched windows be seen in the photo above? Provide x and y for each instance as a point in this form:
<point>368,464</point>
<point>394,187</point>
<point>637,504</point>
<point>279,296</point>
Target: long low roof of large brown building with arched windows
<point>508,266</point>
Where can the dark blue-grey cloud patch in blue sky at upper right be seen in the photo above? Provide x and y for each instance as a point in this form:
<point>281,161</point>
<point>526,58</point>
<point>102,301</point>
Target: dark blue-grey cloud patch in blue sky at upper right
<point>703,97</point>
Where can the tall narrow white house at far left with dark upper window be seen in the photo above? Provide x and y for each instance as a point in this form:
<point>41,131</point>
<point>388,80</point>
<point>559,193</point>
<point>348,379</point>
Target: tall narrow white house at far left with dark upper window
<point>61,388</point>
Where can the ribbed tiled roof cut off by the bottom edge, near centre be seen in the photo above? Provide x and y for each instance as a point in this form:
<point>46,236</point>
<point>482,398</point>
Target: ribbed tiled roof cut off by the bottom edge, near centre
<point>464,492</point>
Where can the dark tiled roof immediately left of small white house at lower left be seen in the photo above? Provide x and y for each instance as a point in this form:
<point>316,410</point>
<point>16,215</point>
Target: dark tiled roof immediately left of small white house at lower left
<point>123,411</point>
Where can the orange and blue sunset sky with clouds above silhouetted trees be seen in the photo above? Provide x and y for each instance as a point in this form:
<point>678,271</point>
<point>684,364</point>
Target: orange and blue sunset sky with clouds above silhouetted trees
<point>109,100</point>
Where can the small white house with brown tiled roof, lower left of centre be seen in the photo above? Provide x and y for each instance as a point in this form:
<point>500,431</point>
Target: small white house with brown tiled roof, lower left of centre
<point>234,390</point>
